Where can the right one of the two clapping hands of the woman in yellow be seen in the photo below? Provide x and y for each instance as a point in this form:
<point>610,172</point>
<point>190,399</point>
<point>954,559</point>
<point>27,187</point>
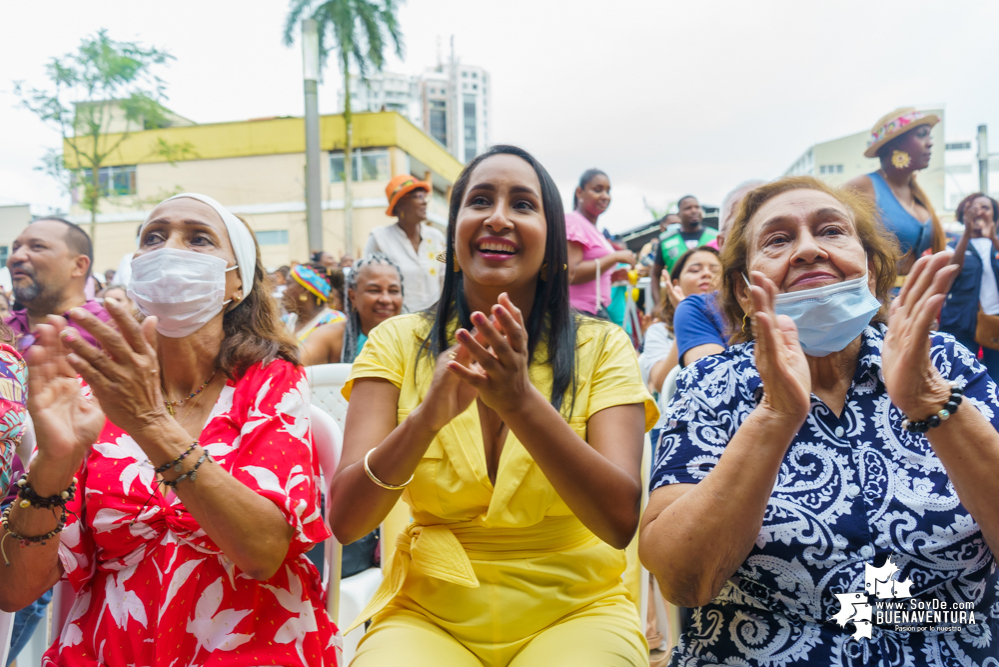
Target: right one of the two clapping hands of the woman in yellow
<point>500,373</point>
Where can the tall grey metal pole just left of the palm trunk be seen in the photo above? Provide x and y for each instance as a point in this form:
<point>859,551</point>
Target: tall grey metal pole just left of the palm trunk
<point>313,182</point>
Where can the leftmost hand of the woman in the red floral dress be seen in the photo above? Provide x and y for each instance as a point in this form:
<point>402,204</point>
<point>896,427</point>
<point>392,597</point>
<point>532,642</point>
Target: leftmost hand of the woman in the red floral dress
<point>66,422</point>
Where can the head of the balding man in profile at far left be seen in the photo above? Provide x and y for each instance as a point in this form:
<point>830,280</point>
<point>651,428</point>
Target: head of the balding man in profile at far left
<point>41,262</point>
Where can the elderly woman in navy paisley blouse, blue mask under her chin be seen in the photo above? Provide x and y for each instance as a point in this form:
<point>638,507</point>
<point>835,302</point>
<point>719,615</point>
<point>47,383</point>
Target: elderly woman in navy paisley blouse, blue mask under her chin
<point>824,482</point>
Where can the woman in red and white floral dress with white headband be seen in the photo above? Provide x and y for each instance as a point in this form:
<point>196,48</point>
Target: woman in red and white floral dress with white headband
<point>181,502</point>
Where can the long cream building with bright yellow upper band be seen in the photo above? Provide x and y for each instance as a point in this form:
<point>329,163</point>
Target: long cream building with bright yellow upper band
<point>257,169</point>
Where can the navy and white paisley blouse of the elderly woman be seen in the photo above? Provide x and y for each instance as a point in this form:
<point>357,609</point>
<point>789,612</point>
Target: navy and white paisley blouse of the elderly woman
<point>851,490</point>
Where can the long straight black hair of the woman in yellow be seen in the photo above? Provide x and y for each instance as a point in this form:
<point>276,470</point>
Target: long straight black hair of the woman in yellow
<point>552,318</point>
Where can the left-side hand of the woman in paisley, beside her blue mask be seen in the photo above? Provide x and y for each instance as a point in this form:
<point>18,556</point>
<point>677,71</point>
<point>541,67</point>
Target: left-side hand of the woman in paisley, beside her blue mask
<point>783,367</point>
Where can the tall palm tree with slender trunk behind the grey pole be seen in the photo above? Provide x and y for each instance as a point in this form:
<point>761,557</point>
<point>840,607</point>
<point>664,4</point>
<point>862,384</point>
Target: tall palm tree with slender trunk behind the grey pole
<point>359,31</point>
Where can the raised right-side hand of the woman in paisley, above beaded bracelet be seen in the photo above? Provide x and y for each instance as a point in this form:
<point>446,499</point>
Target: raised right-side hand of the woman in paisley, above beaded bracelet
<point>912,381</point>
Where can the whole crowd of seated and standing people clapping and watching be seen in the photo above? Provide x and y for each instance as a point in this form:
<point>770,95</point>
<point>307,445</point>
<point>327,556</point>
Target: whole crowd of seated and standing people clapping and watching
<point>814,373</point>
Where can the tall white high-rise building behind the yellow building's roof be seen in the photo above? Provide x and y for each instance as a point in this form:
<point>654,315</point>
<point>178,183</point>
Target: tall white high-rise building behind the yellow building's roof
<point>451,102</point>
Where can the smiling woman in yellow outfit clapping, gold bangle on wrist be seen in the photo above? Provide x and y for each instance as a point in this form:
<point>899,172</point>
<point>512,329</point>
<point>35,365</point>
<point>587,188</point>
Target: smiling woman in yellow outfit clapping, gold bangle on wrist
<point>515,427</point>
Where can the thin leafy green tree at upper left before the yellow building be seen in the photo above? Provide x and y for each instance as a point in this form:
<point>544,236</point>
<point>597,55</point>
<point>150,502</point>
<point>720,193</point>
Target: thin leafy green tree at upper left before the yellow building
<point>104,81</point>
